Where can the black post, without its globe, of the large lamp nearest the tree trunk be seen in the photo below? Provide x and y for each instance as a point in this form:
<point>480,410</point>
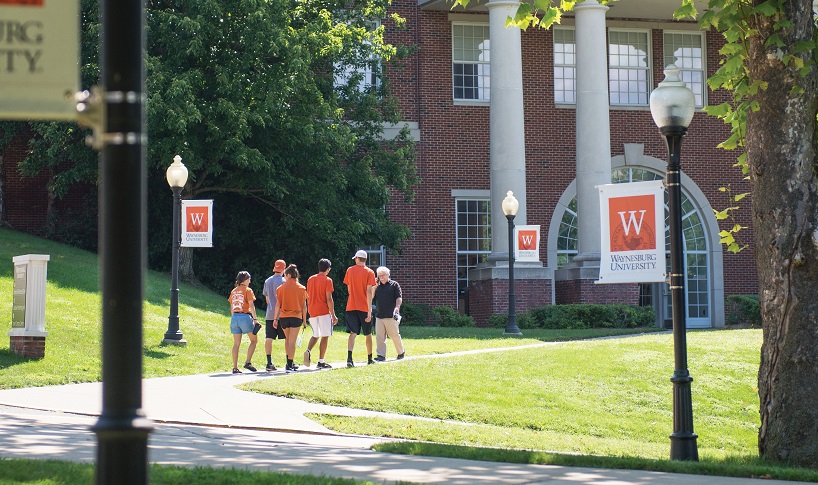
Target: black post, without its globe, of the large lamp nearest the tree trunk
<point>683,439</point>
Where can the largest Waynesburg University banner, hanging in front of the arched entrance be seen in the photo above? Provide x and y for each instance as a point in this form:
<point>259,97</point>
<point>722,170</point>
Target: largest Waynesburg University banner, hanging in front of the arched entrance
<point>632,217</point>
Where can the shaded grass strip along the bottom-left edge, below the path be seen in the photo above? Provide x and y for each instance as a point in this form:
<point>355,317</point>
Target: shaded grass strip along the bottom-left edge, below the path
<point>53,472</point>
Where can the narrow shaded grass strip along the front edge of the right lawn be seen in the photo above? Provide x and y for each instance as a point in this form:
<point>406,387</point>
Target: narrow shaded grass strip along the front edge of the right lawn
<point>744,466</point>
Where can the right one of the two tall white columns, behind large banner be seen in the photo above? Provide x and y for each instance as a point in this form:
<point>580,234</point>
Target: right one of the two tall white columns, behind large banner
<point>593,126</point>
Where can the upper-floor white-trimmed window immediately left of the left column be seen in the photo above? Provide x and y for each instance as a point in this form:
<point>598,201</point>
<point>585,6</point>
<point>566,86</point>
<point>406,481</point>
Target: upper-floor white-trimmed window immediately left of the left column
<point>470,62</point>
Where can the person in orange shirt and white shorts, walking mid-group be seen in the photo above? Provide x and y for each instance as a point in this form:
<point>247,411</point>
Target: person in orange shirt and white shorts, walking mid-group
<point>322,312</point>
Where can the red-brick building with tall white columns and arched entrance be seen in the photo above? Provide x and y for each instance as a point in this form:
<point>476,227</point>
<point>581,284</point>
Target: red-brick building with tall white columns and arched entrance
<point>495,109</point>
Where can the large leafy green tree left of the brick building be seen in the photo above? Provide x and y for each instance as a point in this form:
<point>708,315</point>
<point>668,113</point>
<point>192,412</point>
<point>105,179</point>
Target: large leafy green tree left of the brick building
<point>245,91</point>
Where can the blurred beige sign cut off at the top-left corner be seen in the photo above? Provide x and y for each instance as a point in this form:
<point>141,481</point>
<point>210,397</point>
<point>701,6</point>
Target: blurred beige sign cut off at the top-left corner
<point>39,59</point>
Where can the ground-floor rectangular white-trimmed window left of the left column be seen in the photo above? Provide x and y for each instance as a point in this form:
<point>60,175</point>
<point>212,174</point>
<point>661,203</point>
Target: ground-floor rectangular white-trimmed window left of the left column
<point>473,218</point>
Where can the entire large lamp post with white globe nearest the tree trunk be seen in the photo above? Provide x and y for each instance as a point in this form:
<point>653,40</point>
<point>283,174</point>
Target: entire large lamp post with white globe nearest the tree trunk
<point>671,105</point>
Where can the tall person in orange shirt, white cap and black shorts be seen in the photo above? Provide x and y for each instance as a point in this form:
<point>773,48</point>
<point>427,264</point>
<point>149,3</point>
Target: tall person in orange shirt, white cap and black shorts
<point>360,281</point>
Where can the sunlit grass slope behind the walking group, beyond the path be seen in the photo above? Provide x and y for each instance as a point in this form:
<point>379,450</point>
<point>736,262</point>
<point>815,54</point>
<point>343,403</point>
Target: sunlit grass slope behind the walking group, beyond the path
<point>73,350</point>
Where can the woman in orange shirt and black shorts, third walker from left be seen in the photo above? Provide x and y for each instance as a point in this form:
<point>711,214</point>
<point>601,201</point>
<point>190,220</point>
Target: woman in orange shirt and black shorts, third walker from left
<point>291,312</point>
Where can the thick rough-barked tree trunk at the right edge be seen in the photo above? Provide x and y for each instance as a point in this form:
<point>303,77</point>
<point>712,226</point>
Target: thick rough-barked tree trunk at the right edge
<point>780,142</point>
